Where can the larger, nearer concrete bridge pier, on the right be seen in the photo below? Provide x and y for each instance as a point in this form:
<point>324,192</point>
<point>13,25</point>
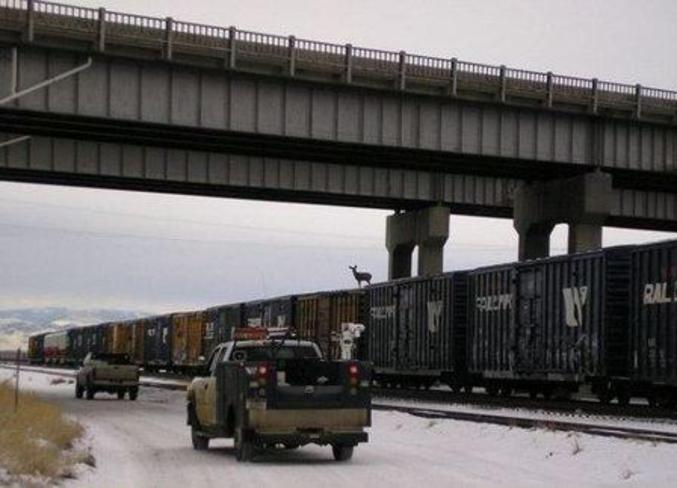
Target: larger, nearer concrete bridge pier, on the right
<point>583,202</point>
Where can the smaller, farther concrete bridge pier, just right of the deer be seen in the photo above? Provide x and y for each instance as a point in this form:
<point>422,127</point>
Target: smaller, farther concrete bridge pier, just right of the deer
<point>428,229</point>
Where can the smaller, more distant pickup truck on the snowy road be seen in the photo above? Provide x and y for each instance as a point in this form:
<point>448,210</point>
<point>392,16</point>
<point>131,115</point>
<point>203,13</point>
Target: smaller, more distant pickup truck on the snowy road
<point>112,373</point>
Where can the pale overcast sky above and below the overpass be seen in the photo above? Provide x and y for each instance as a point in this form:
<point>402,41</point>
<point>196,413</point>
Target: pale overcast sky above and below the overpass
<point>87,248</point>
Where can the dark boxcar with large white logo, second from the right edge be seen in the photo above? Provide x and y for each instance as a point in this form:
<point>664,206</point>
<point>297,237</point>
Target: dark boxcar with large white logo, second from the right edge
<point>553,324</point>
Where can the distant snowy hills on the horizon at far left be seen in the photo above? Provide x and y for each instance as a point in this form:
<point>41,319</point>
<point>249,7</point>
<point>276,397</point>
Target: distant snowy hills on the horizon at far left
<point>16,325</point>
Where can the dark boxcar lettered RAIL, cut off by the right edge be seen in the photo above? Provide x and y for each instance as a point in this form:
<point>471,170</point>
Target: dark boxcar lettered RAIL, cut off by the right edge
<point>653,321</point>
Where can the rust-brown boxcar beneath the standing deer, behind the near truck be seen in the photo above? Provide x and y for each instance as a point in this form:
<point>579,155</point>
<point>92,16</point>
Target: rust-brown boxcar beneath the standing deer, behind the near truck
<point>318,317</point>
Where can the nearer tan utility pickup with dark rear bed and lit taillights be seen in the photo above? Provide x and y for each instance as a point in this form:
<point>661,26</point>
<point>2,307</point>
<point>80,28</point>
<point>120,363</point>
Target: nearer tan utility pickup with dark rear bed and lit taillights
<point>267,393</point>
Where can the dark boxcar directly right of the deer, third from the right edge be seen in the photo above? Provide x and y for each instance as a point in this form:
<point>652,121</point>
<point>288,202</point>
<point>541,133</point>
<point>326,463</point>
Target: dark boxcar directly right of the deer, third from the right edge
<point>417,330</point>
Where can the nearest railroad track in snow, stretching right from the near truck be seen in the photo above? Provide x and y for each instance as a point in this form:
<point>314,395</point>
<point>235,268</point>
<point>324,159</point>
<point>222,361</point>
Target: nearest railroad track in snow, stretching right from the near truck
<point>629,433</point>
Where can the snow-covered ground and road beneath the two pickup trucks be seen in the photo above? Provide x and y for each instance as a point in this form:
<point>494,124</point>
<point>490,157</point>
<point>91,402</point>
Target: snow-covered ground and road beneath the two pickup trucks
<point>147,444</point>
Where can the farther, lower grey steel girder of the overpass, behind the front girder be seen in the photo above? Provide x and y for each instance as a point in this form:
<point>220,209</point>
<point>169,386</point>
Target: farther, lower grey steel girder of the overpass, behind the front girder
<point>116,165</point>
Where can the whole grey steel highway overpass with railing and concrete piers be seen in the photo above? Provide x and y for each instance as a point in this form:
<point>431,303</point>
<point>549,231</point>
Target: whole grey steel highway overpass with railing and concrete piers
<point>108,99</point>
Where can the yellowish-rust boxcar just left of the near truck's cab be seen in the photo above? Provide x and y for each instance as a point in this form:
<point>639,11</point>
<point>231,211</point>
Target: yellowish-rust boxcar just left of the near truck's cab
<point>188,330</point>
